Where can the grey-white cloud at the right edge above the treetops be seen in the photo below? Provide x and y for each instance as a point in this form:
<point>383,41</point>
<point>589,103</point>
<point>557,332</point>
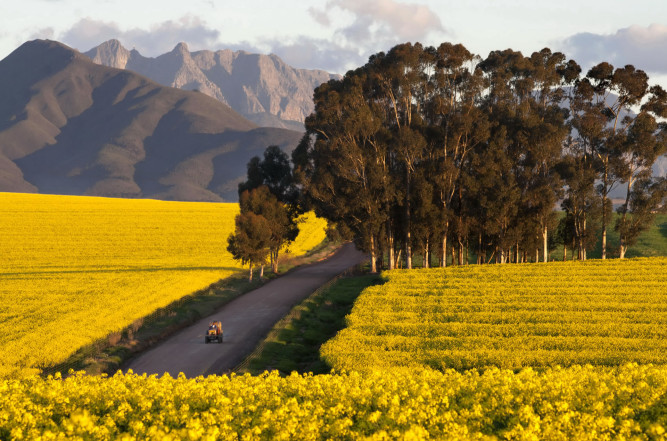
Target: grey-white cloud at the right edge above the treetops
<point>643,47</point>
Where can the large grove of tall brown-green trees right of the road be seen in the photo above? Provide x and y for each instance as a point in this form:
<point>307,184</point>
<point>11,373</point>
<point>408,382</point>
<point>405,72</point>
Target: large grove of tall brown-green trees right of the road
<point>436,150</point>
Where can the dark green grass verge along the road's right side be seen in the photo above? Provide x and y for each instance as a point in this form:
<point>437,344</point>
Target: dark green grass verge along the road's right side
<point>294,342</point>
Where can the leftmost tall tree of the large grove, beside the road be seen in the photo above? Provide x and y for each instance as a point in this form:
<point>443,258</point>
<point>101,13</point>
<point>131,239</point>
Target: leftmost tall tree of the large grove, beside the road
<point>341,161</point>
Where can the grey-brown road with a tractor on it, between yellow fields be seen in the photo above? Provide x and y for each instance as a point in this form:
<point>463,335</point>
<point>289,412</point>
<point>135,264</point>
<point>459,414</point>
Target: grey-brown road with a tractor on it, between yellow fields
<point>245,320</point>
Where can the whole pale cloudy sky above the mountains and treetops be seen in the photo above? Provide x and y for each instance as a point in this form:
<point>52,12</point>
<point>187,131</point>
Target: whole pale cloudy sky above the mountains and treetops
<point>338,35</point>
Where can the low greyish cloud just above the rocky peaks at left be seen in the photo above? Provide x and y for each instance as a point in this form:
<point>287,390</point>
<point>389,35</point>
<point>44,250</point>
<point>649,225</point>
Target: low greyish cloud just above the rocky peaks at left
<point>155,40</point>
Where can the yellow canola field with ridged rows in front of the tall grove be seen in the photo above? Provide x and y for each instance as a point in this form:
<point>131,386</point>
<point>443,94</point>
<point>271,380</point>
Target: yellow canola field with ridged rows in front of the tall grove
<point>510,316</point>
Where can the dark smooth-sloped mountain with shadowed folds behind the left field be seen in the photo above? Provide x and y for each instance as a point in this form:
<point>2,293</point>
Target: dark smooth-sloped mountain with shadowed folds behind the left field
<point>71,126</point>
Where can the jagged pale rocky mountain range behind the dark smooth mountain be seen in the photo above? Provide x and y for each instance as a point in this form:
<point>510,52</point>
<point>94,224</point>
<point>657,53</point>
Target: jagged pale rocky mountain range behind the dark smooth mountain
<point>263,88</point>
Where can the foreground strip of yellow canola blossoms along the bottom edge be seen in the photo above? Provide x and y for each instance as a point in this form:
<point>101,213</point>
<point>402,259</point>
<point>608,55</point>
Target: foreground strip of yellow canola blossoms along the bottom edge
<point>577,403</point>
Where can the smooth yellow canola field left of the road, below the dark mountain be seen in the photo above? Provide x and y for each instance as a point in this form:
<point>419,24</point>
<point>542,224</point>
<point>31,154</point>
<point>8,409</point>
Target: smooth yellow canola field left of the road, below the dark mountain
<point>76,268</point>
